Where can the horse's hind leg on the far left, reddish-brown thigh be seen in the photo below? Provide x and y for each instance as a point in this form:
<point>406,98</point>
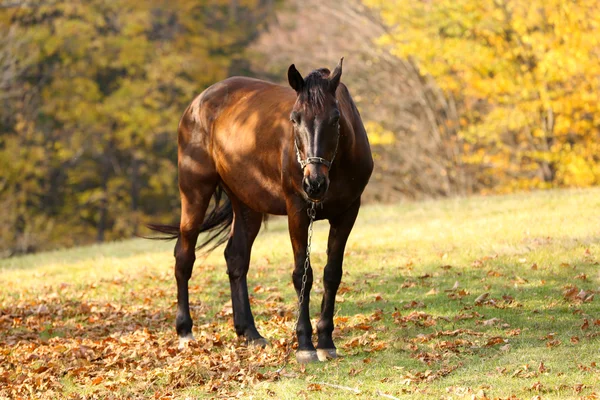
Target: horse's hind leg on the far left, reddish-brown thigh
<point>194,202</point>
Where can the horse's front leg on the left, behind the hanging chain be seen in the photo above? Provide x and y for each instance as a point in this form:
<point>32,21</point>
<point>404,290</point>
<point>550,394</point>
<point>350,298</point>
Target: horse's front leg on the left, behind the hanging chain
<point>298,226</point>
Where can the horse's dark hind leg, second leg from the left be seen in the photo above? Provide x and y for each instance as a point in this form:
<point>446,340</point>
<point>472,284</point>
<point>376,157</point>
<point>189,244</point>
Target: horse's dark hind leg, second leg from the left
<point>246,224</point>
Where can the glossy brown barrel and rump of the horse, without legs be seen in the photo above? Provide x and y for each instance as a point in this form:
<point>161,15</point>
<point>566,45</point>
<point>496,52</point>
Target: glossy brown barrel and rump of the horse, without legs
<point>241,125</point>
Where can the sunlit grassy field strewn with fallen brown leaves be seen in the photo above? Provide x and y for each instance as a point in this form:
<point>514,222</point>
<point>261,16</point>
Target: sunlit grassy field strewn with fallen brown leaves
<point>486,297</point>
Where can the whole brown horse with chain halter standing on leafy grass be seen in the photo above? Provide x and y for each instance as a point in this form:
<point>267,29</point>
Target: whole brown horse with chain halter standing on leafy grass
<point>272,150</point>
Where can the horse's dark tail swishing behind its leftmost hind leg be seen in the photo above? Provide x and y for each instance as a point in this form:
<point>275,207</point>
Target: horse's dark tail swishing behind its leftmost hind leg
<point>217,224</point>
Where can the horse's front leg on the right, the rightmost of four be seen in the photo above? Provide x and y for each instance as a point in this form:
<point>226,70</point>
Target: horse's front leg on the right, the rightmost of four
<point>340,228</point>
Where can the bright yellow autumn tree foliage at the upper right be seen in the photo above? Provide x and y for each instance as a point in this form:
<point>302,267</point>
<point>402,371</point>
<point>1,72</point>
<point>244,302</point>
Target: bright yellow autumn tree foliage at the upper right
<point>527,77</point>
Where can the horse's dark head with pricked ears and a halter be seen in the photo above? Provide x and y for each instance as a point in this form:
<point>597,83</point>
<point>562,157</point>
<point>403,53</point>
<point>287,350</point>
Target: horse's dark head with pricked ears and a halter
<point>316,121</point>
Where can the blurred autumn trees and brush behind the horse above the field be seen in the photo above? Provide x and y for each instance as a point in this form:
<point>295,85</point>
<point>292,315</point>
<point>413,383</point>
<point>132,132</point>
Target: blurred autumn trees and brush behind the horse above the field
<point>459,97</point>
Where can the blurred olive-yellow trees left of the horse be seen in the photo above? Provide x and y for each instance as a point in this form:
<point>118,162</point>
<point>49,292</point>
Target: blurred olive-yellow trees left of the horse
<point>92,93</point>
